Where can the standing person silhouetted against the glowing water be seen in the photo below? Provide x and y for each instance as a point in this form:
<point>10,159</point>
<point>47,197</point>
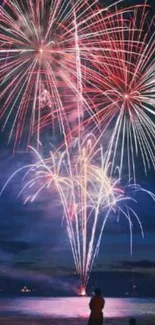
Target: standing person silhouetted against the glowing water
<point>96,306</point>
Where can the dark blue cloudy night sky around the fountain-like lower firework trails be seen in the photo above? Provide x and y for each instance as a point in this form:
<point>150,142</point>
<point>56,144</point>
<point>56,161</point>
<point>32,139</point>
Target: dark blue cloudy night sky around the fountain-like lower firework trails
<point>33,239</point>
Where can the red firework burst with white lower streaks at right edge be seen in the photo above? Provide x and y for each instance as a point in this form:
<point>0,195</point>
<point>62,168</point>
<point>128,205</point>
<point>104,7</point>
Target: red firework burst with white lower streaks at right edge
<point>124,96</point>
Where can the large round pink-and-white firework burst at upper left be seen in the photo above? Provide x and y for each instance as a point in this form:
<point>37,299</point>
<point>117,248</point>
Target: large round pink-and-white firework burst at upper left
<point>46,49</point>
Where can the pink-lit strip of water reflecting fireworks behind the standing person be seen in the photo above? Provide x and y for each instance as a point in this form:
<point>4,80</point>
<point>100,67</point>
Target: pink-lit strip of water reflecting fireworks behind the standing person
<point>75,307</point>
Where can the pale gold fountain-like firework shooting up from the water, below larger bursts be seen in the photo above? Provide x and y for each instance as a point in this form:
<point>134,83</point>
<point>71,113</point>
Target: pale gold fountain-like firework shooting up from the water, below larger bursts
<point>87,194</point>
